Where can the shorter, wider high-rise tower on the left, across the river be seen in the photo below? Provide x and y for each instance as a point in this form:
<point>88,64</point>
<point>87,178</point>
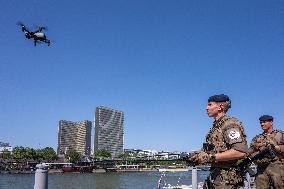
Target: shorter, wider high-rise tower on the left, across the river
<point>74,135</point>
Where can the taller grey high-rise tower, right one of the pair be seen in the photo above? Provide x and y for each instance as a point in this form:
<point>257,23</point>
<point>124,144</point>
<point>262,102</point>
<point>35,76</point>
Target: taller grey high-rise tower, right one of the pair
<point>109,130</point>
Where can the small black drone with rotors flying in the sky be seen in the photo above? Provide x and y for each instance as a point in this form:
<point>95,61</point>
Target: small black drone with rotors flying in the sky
<point>37,36</point>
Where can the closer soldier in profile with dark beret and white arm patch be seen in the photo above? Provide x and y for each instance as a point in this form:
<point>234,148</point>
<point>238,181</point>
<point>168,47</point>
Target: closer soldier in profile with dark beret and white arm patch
<point>225,145</point>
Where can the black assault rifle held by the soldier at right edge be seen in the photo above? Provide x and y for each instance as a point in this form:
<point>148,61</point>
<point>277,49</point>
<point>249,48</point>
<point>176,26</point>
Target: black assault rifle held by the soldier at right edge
<point>268,152</point>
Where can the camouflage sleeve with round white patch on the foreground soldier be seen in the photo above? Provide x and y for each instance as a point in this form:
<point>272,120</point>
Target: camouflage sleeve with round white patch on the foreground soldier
<point>235,138</point>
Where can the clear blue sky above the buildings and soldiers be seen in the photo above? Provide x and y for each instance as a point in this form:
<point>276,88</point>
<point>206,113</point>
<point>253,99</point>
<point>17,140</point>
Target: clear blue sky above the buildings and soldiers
<point>158,61</point>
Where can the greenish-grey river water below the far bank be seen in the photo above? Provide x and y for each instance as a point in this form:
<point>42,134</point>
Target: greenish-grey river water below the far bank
<point>115,180</point>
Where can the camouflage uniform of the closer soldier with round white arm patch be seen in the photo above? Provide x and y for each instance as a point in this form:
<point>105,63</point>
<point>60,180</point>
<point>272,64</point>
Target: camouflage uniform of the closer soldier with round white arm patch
<point>226,133</point>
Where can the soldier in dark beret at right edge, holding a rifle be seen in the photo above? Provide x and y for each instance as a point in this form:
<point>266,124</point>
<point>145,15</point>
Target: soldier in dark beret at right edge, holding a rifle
<point>270,170</point>
